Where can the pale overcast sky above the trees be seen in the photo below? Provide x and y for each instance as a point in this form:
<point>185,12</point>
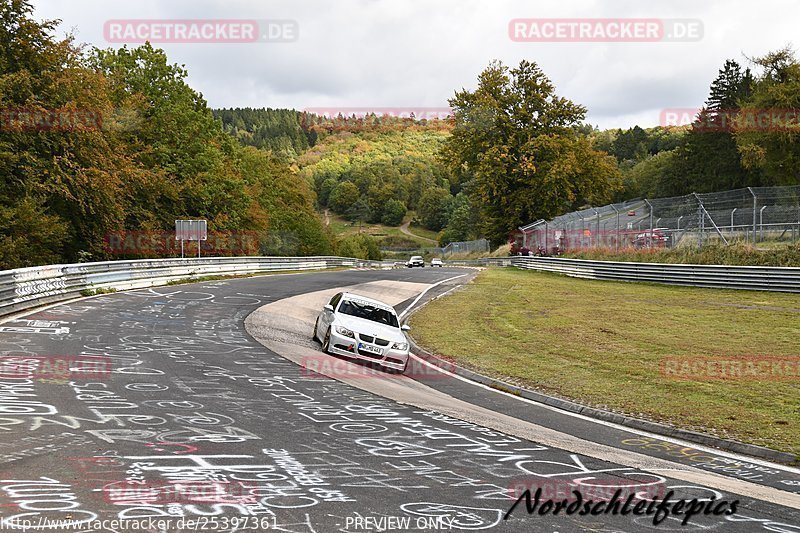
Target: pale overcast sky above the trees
<point>416,53</point>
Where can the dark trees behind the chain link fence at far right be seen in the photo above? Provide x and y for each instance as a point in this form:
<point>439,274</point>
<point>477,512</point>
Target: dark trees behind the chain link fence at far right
<point>721,149</point>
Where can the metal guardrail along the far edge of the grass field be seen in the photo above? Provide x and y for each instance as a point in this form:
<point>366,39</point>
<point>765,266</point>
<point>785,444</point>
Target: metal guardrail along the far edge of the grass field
<point>758,278</point>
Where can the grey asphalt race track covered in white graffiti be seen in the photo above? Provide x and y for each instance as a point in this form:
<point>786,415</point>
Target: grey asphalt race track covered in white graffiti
<point>189,423</point>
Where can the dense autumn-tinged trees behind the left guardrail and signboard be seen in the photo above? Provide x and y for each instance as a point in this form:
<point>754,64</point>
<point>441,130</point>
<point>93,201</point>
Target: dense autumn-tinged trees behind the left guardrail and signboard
<point>152,153</point>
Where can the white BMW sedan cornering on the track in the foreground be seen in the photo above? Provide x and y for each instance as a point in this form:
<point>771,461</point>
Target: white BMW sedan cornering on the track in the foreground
<point>362,328</point>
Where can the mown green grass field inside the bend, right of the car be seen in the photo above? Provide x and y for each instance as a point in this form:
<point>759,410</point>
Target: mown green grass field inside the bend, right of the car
<point>601,343</point>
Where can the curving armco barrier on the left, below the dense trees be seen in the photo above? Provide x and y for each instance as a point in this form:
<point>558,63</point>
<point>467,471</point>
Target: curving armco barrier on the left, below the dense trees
<point>25,288</point>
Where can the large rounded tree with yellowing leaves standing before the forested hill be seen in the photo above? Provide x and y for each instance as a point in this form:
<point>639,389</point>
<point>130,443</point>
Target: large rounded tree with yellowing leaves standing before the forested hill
<point>518,143</point>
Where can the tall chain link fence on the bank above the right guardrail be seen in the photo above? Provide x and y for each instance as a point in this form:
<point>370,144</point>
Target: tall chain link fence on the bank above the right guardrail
<point>755,214</point>
